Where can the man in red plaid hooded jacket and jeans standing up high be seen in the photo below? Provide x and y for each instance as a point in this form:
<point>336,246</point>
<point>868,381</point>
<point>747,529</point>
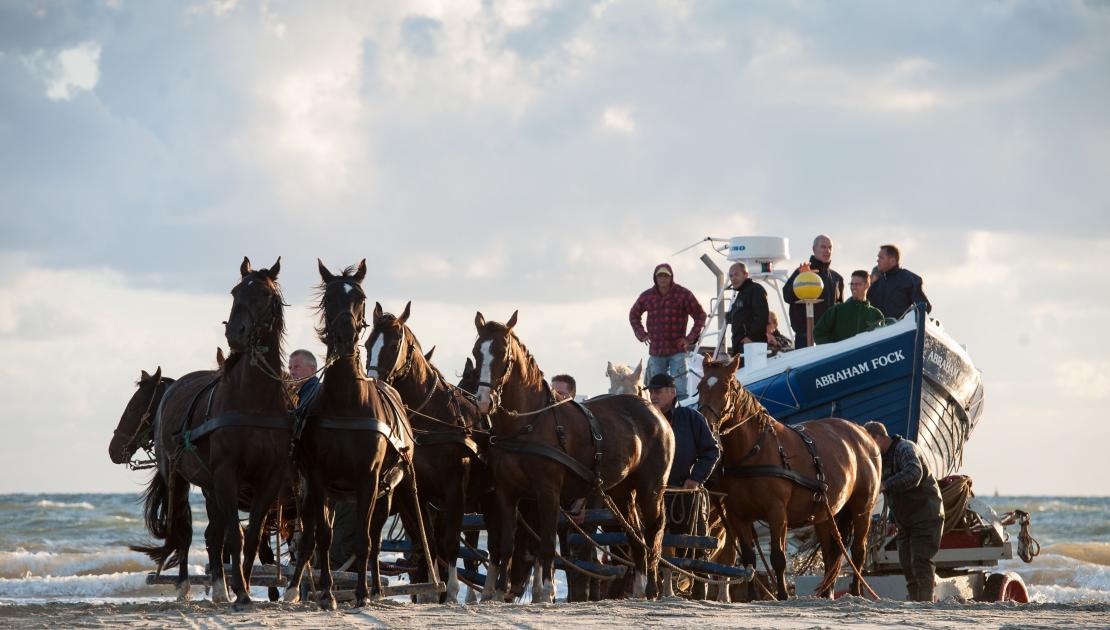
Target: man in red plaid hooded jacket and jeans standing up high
<point>668,306</point>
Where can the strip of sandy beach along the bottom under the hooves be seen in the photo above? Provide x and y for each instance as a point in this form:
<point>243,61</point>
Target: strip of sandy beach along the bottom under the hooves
<point>794,615</point>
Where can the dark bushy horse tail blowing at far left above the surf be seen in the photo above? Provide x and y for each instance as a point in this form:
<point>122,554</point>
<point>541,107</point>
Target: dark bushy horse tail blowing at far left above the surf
<point>166,511</point>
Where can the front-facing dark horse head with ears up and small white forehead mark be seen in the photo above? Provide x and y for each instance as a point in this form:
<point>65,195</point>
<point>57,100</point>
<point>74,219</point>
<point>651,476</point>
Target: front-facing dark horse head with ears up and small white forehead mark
<point>342,309</point>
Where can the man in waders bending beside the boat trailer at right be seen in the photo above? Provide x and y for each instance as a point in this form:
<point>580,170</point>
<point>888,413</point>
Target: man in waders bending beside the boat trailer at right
<point>914,497</point>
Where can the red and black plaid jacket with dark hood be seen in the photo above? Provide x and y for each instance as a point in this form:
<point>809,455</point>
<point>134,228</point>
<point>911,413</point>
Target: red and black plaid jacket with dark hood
<point>667,319</point>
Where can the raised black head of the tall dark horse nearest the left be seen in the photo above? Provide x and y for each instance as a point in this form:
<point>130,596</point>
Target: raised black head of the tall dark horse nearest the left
<point>256,309</point>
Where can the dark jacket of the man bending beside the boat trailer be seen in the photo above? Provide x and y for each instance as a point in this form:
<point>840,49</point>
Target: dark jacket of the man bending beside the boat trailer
<point>912,491</point>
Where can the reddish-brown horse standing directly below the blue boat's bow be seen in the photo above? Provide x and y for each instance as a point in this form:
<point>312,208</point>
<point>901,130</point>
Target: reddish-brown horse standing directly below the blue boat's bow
<point>790,477</point>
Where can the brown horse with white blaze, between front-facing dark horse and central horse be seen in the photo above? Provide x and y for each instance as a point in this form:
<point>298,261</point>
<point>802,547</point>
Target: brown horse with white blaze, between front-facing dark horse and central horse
<point>448,428</point>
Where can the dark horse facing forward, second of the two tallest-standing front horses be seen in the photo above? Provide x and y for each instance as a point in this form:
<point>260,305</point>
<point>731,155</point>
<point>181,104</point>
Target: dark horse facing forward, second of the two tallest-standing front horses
<point>355,441</point>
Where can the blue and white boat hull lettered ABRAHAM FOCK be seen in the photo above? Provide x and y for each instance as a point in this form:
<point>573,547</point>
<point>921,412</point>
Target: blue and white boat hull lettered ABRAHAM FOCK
<point>912,377</point>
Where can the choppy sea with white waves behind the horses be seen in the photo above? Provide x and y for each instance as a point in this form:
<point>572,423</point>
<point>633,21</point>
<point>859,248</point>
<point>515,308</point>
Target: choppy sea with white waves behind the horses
<point>74,548</point>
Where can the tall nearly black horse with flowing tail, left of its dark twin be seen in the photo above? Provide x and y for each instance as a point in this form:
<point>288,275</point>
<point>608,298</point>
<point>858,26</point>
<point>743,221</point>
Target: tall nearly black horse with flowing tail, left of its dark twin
<point>228,432</point>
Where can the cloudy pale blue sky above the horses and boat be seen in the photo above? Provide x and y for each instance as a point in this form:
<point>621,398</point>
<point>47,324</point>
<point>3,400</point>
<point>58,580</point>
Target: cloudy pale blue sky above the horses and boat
<point>543,157</point>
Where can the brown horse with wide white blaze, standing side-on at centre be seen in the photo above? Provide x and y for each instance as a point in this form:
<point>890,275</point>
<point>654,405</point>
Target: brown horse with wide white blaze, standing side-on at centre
<point>627,443</point>
